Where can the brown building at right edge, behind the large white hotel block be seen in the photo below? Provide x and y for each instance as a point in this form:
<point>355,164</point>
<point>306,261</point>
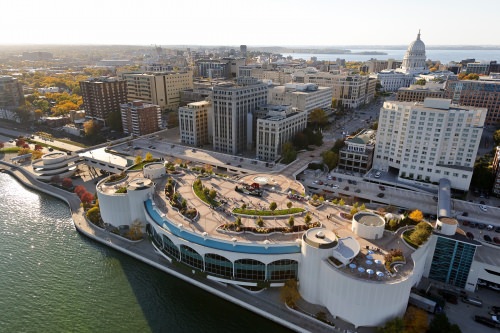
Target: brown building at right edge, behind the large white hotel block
<point>477,93</point>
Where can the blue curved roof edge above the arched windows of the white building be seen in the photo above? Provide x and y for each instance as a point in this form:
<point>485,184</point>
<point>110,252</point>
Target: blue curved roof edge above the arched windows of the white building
<point>217,243</point>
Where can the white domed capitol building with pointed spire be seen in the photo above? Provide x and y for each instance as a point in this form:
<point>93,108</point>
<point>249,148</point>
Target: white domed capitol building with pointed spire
<point>413,65</point>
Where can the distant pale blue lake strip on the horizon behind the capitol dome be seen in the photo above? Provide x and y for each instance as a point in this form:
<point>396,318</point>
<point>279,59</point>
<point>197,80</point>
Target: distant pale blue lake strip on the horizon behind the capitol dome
<point>445,56</point>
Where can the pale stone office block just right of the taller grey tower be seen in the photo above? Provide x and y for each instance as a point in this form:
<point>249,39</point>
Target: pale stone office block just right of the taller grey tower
<point>277,127</point>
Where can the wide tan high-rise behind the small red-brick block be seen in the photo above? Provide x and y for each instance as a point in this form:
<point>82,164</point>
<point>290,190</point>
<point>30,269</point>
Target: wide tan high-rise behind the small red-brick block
<point>163,89</point>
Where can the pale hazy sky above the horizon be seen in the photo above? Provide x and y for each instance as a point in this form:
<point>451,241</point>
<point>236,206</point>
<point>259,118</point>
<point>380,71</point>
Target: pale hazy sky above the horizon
<point>250,22</point>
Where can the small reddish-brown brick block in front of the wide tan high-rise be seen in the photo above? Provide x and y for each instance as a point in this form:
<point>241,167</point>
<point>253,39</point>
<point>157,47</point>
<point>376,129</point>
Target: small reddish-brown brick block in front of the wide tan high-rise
<point>140,118</point>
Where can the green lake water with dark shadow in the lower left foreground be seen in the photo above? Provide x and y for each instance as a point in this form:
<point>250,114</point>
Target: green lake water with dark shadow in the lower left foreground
<point>52,279</point>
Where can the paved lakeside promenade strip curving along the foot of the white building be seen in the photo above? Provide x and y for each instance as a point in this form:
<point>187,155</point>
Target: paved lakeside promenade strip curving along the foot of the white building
<point>253,303</point>
